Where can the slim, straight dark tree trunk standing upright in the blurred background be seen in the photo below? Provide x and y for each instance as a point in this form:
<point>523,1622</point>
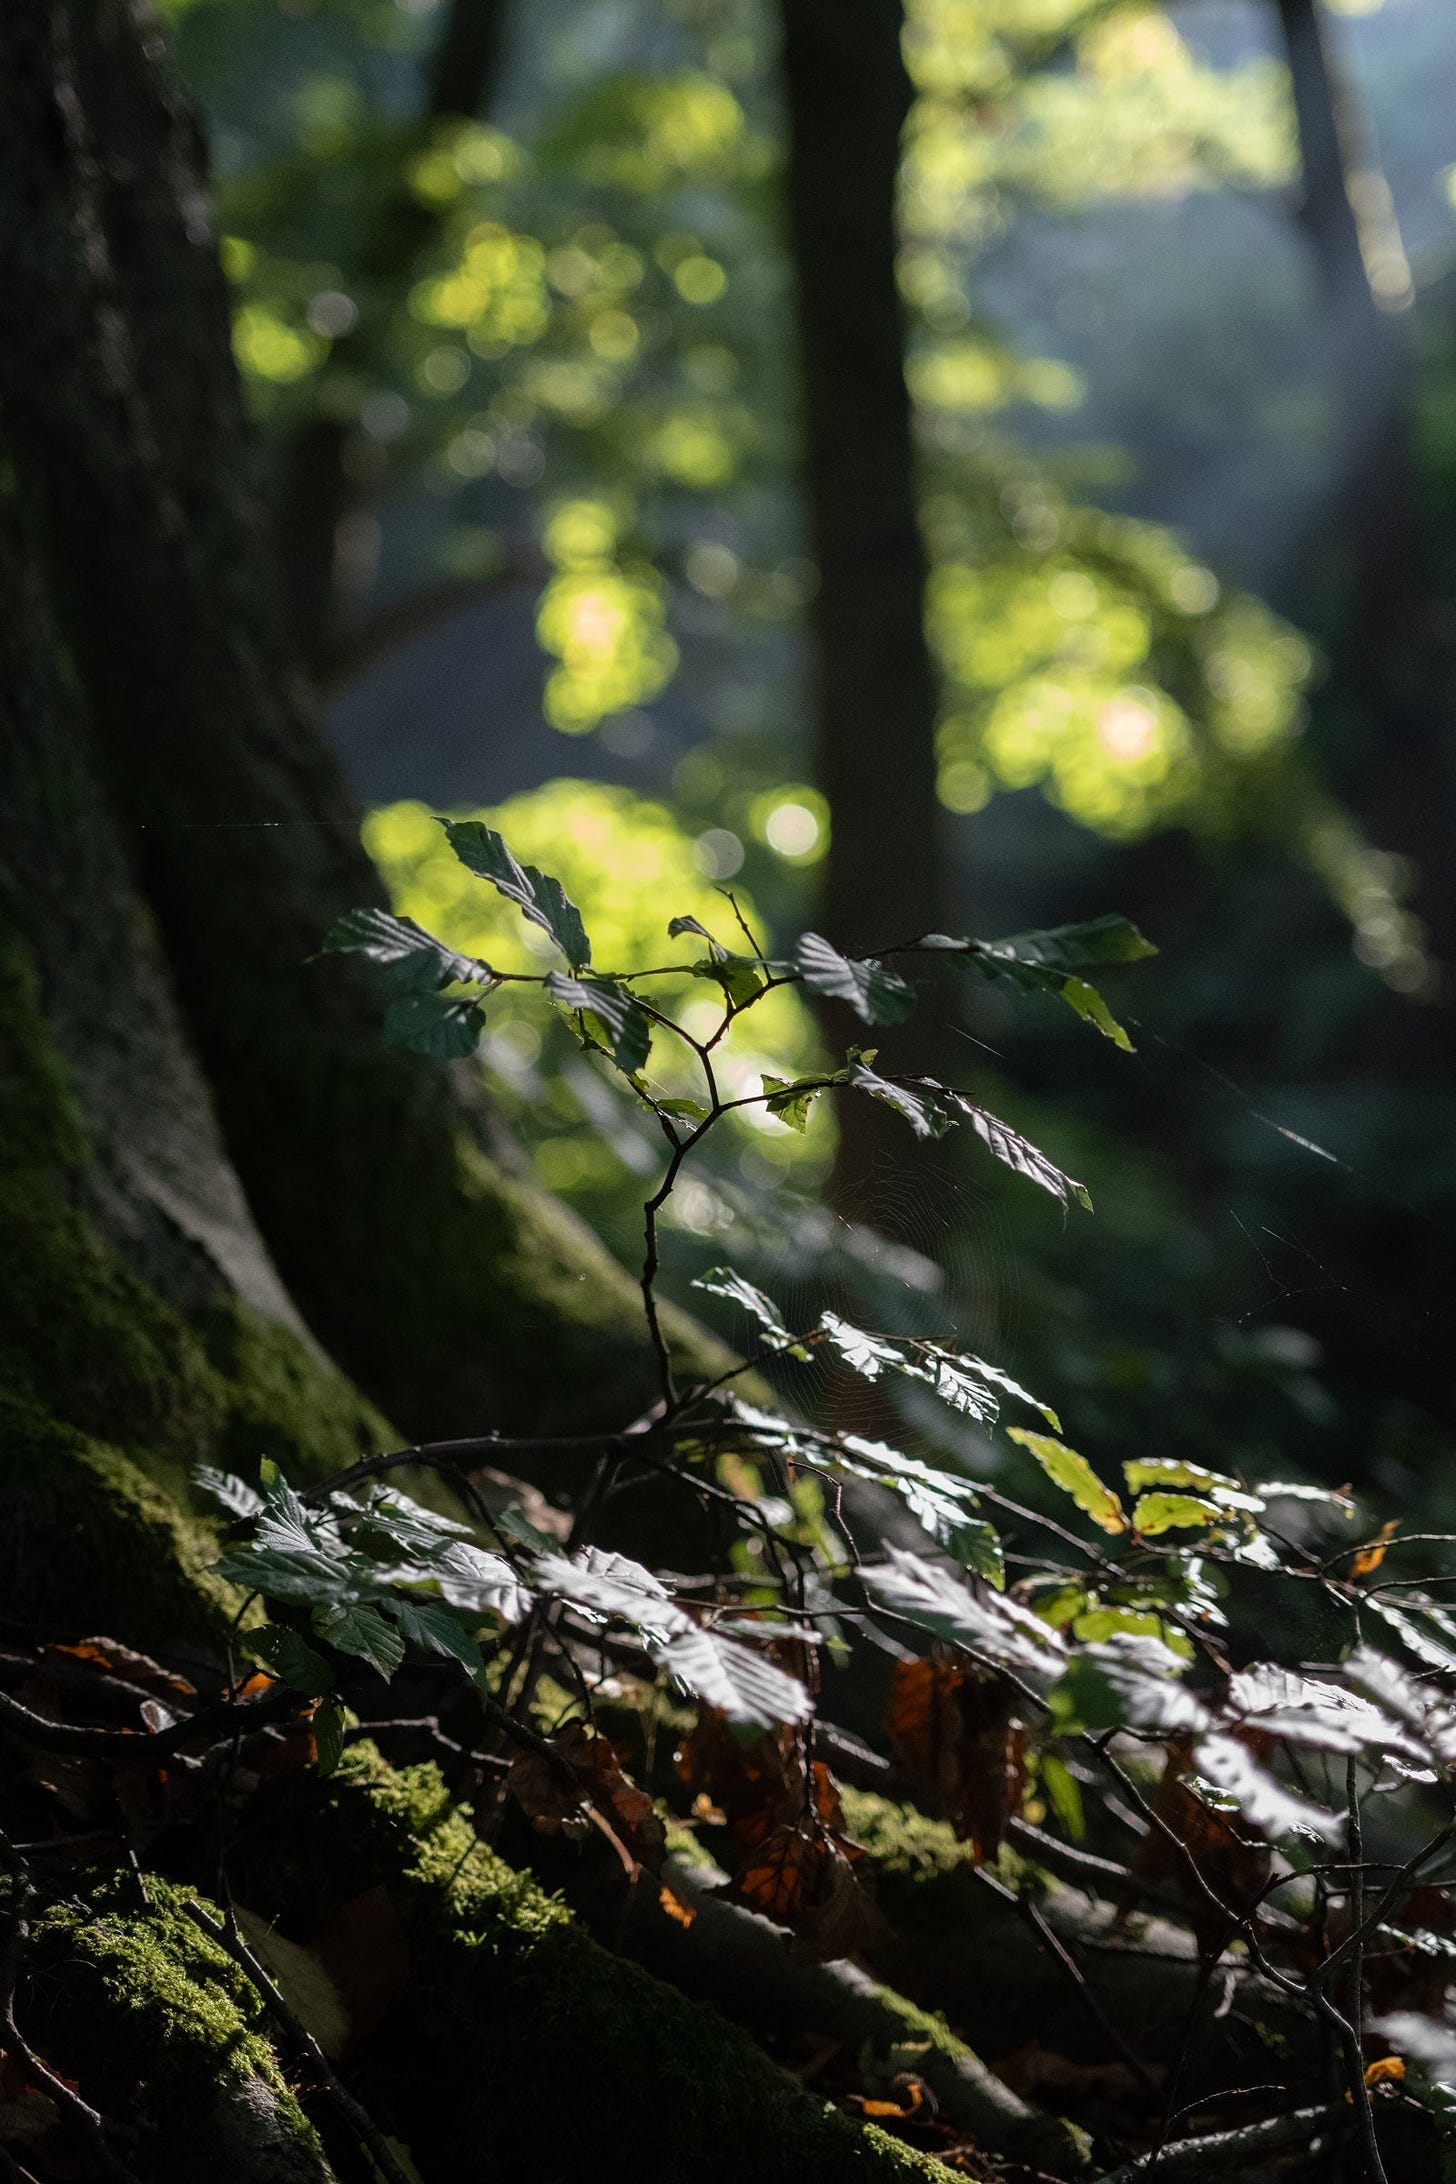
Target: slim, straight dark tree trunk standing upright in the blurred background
<point>874,685</point>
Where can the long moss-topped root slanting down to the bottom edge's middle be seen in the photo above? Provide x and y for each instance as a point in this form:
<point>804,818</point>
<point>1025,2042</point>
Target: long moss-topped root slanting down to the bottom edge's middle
<point>512,2002</point>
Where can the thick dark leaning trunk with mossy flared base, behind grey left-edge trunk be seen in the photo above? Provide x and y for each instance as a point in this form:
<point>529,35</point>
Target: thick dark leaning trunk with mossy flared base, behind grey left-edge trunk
<point>387,1194</point>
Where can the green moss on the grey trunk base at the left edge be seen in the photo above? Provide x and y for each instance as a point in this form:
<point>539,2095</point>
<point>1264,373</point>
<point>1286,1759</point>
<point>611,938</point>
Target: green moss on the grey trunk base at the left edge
<point>110,1394</point>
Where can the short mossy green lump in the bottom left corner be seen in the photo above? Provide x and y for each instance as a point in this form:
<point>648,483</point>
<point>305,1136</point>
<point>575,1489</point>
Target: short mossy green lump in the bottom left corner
<point>136,2004</point>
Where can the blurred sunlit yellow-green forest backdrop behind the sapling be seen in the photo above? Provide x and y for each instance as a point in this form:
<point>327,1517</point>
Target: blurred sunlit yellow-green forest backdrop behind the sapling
<point>516,322</point>
